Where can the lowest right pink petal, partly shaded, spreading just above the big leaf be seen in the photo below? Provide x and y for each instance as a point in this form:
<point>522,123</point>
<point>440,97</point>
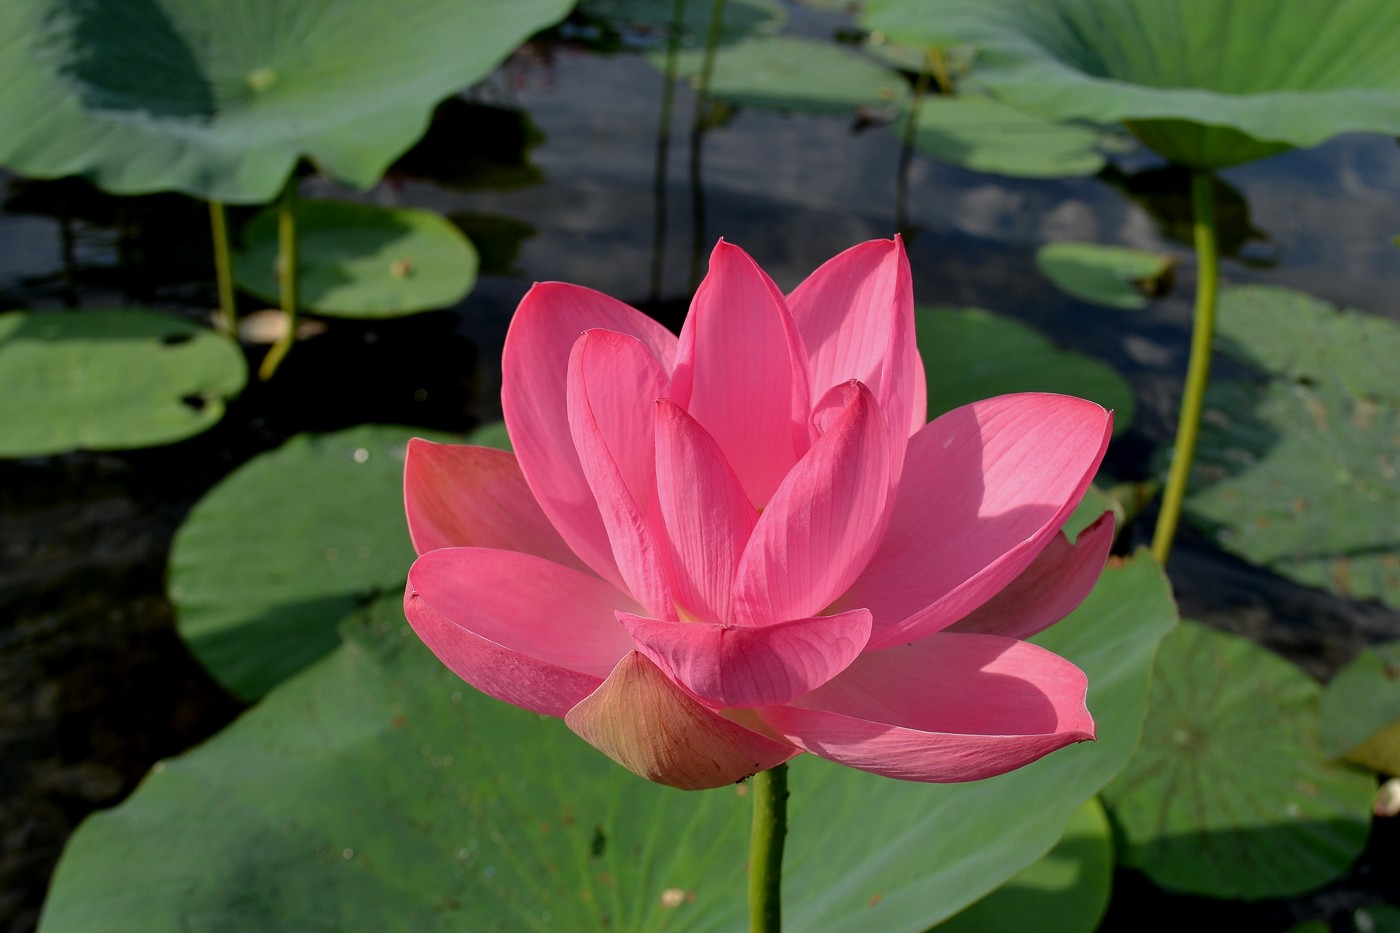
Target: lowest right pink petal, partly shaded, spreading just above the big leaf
<point>950,708</point>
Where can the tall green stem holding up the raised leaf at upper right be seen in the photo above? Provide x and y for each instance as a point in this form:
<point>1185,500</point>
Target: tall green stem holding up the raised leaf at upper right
<point>1199,369</point>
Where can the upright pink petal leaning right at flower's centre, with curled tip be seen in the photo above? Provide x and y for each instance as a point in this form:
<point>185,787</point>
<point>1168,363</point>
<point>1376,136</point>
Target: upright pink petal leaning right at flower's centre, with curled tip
<point>824,523</point>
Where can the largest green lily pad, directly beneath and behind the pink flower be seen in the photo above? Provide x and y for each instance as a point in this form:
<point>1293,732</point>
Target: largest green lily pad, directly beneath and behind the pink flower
<point>377,792</point>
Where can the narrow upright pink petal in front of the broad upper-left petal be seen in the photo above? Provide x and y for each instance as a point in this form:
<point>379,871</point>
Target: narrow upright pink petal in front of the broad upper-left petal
<point>614,386</point>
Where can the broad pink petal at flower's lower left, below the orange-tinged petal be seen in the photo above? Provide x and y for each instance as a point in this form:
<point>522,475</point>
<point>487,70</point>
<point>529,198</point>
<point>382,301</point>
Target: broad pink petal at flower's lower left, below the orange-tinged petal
<point>523,630</point>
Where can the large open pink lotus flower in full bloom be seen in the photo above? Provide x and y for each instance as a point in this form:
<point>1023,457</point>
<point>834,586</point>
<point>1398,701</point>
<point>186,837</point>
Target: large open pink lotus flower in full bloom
<point>715,553</point>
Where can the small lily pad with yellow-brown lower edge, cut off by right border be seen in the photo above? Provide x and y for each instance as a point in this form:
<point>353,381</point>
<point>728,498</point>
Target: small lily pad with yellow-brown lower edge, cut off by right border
<point>1361,711</point>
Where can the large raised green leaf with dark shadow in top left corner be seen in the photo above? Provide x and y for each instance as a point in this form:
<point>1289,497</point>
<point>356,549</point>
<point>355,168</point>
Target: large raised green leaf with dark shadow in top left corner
<point>220,100</point>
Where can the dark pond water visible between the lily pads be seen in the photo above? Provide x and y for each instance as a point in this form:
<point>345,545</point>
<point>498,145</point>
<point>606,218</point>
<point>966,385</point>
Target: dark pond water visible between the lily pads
<point>94,686</point>
